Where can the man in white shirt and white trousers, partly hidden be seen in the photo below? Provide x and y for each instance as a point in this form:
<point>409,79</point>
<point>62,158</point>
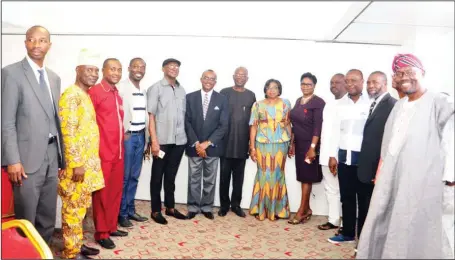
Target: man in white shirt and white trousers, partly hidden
<point>331,185</point>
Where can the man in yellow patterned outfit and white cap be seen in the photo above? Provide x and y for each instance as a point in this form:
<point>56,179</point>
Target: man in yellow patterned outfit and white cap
<point>81,141</point>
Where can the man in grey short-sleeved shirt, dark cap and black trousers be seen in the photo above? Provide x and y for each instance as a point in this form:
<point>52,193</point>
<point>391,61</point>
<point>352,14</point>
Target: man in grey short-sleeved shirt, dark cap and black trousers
<point>166,104</point>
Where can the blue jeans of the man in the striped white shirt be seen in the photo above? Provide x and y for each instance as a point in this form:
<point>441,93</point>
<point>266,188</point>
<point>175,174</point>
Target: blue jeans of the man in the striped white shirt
<point>134,149</point>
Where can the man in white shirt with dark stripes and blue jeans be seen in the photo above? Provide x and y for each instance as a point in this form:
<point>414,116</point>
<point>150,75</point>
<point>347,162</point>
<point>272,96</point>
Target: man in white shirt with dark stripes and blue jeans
<point>135,125</point>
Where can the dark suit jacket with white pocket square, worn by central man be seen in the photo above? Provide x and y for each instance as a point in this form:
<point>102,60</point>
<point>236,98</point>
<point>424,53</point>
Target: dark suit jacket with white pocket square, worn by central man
<point>213,128</point>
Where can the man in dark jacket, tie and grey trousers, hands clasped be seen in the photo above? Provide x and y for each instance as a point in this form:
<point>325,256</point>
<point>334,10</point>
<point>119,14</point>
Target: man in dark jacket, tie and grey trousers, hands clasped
<point>206,124</point>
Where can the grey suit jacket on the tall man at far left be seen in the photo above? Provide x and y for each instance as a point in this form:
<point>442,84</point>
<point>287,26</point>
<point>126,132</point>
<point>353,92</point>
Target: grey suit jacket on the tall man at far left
<point>25,131</point>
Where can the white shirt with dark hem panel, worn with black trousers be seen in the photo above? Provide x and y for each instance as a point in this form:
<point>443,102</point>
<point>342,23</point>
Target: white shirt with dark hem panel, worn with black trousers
<point>348,124</point>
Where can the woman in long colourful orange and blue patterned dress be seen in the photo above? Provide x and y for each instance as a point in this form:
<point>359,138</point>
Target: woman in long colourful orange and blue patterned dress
<point>269,142</point>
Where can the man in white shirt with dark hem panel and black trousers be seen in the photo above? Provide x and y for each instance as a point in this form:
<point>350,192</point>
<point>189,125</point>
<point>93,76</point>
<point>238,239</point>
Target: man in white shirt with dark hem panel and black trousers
<point>349,121</point>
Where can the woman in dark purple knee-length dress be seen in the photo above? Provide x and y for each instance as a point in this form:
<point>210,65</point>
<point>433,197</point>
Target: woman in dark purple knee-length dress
<point>306,119</point>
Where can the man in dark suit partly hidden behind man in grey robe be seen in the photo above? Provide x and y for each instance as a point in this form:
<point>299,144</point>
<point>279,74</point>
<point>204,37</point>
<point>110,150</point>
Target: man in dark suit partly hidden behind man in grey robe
<point>372,139</point>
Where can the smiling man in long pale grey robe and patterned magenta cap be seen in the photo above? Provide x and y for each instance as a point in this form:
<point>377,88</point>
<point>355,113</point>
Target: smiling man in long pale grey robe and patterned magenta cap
<point>412,207</point>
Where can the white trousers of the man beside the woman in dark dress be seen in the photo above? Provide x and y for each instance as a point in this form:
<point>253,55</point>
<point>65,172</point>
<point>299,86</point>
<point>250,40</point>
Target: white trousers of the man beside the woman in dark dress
<point>332,191</point>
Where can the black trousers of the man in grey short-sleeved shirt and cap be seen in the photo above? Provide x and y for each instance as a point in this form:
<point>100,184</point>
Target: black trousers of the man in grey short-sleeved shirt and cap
<point>167,167</point>
